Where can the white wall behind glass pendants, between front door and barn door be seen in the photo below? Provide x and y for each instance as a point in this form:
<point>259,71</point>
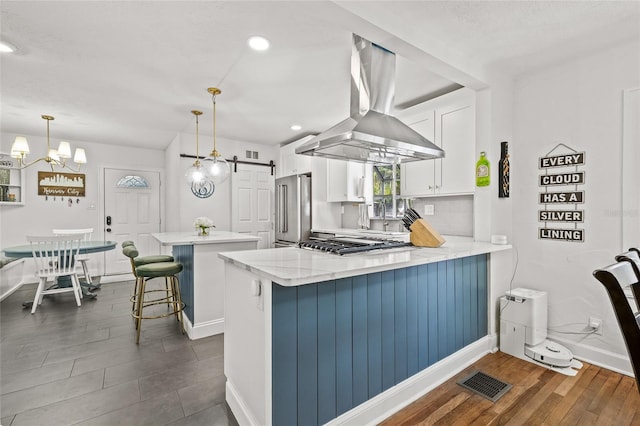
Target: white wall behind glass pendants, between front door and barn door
<point>182,206</point>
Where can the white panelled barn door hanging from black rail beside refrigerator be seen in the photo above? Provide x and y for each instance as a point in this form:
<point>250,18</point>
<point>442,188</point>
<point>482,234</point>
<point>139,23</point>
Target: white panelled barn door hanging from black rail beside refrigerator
<point>252,210</point>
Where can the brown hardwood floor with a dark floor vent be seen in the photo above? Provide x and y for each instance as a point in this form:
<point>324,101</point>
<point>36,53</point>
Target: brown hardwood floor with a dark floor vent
<point>539,396</point>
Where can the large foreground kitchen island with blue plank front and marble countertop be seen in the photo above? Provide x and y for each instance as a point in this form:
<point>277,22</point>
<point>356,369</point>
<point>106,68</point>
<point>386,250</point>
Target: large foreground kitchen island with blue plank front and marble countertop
<point>315,338</point>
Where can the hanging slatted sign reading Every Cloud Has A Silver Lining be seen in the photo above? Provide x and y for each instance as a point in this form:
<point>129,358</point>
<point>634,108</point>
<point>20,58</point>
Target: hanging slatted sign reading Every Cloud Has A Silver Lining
<point>560,172</point>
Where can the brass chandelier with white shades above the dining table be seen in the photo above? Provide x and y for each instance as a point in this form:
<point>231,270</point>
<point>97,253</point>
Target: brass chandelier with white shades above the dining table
<point>55,157</point>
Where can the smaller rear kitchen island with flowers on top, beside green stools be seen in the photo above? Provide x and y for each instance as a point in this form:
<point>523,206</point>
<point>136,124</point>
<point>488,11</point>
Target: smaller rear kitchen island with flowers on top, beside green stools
<point>202,277</point>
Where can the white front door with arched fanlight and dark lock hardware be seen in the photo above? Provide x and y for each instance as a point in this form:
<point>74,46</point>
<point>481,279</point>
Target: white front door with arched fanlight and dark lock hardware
<point>131,212</point>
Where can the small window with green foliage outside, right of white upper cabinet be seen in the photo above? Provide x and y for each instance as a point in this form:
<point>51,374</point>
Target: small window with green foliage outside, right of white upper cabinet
<point>386,190</point>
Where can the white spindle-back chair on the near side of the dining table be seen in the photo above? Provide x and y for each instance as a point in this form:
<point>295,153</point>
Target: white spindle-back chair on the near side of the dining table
<point>55,256</point>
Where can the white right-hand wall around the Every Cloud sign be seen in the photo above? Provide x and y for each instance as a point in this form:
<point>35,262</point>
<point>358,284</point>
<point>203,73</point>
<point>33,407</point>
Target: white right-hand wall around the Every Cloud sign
<point>578,103</point>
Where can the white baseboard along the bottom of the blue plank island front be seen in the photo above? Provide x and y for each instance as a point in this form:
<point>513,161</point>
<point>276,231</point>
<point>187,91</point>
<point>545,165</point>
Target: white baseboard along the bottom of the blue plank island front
<point>394,399</point>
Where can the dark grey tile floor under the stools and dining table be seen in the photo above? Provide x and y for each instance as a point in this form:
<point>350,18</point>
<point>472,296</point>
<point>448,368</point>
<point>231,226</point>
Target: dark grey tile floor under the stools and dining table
<point>69,365</point>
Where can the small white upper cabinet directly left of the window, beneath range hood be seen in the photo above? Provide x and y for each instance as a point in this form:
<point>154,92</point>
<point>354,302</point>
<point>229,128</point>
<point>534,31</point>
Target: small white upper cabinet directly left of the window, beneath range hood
<point>345,181</point>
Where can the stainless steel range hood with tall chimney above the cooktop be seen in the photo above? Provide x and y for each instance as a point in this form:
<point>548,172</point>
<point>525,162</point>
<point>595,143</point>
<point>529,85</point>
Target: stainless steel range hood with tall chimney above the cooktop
<point>371,134</point>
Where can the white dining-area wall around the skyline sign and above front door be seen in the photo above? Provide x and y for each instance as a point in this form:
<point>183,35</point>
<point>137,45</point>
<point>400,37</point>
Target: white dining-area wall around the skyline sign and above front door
<point>39,216</point>
